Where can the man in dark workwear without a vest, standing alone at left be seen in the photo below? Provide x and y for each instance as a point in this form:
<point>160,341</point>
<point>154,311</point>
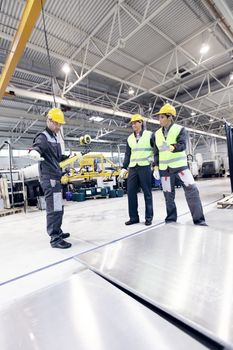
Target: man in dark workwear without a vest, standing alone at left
<point>47,150</point>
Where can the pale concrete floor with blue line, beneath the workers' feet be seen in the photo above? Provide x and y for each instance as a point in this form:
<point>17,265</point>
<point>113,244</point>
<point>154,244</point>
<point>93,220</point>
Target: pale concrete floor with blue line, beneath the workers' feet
<point>28,262</point>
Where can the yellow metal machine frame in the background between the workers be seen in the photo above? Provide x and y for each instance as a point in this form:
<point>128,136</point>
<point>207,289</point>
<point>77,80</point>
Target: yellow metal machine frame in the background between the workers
<point>88,166</point>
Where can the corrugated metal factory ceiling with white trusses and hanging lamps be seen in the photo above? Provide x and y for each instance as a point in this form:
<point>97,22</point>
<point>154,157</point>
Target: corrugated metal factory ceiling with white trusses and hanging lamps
<point>125,57</point>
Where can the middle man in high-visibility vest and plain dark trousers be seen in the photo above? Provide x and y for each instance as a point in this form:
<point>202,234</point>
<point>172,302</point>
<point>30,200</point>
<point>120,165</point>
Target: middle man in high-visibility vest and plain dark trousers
<point>138,159</point>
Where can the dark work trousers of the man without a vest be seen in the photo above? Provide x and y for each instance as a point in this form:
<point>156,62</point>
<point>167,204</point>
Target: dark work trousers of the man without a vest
<point>54,208</point>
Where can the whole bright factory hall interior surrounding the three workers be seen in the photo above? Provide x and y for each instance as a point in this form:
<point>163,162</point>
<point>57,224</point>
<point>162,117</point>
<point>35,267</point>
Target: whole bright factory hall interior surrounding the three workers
<point>135,287</point>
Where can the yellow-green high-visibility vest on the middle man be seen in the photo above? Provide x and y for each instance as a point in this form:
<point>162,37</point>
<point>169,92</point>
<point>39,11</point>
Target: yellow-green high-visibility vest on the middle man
<point>141,151</point>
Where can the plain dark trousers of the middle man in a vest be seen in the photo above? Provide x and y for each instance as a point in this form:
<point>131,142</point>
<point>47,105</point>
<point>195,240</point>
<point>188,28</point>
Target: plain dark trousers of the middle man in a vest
<point>139,176</point>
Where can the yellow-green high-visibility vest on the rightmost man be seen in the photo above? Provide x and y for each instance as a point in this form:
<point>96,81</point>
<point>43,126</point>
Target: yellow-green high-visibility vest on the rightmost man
<point>166,157</point>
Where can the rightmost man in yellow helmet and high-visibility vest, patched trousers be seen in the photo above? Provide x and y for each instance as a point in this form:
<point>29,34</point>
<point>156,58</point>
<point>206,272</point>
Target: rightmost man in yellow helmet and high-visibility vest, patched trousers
<point>171,161</point>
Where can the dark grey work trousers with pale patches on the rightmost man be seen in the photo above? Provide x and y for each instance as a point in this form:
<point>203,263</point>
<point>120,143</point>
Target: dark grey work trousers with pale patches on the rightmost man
<point>191,194</point>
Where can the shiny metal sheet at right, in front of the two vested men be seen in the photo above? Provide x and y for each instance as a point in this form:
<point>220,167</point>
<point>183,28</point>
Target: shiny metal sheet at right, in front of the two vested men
<point>186,270</point>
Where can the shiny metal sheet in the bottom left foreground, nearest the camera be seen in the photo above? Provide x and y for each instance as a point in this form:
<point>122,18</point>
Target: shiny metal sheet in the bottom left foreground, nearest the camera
<point>87,313</point>
